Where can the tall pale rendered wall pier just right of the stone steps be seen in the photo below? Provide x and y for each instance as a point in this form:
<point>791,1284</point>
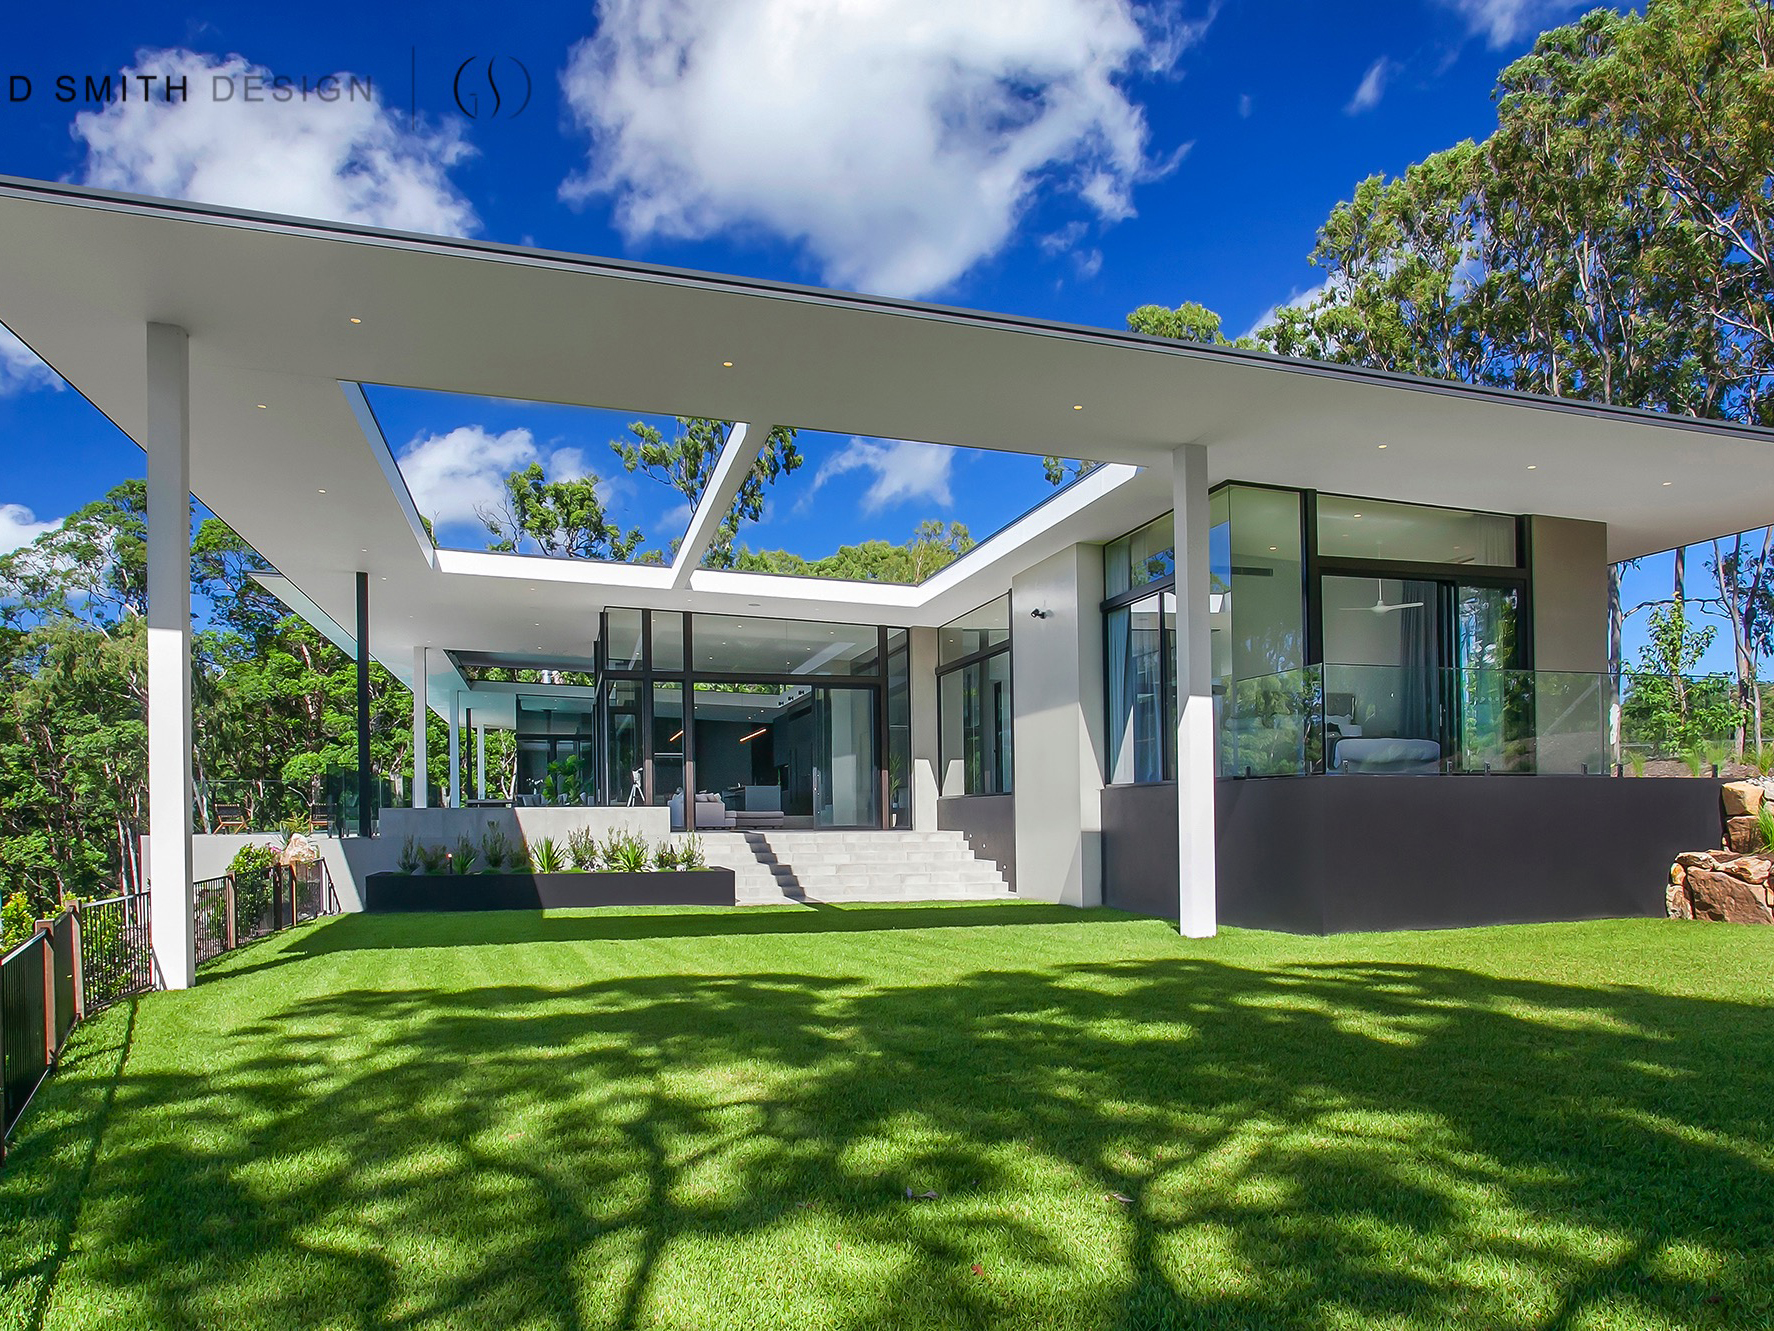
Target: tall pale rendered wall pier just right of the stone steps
<point>1058,727</point>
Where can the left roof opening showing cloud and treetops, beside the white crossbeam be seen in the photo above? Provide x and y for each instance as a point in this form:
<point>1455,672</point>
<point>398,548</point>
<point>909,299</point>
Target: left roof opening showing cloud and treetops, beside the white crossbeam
<point>547,478</point>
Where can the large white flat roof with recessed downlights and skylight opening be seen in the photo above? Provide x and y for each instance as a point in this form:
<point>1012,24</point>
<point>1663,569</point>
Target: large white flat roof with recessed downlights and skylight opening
<point>269,303</point>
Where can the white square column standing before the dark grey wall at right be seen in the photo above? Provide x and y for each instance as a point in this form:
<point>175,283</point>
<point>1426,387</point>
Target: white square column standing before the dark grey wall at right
<point>1195,697</point>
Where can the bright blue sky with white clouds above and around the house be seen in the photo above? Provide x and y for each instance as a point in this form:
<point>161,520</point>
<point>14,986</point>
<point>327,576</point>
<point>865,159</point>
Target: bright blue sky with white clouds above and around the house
<point>1062,159</point>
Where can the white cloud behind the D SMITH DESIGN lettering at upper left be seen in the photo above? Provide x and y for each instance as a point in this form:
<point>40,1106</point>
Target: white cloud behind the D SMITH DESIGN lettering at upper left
<point>341,161</point>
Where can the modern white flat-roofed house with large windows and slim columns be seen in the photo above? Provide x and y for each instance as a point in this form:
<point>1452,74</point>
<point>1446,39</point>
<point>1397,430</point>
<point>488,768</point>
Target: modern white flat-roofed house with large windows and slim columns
<point>1310,647</point>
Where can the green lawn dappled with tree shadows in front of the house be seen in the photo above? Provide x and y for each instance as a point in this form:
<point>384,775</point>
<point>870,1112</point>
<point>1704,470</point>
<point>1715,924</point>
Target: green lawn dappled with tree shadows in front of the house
<point>712,1121</point>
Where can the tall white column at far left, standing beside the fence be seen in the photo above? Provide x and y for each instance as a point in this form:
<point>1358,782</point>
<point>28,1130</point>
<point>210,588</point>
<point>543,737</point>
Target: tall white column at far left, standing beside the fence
<point>169,654</point>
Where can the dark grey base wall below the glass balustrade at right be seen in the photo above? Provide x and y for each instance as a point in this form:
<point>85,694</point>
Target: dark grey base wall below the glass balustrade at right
<point>1347,853</point>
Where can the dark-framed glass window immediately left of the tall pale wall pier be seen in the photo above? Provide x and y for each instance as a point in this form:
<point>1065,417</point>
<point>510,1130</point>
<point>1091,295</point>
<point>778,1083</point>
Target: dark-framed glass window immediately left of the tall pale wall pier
<point>975,704</point>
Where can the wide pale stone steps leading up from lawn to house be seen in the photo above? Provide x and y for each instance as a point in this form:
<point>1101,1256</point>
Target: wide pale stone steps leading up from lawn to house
<point>773,869</point>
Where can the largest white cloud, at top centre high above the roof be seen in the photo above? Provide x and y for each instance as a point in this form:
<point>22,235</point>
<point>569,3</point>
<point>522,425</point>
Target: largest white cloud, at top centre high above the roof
<point>899,143</point>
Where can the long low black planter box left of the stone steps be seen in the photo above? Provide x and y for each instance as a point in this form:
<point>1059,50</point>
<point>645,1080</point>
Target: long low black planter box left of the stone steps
<point>546,892</point>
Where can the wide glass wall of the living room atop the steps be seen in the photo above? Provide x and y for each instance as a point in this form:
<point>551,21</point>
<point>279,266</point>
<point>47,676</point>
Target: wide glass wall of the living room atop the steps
<point>790,723</point>
